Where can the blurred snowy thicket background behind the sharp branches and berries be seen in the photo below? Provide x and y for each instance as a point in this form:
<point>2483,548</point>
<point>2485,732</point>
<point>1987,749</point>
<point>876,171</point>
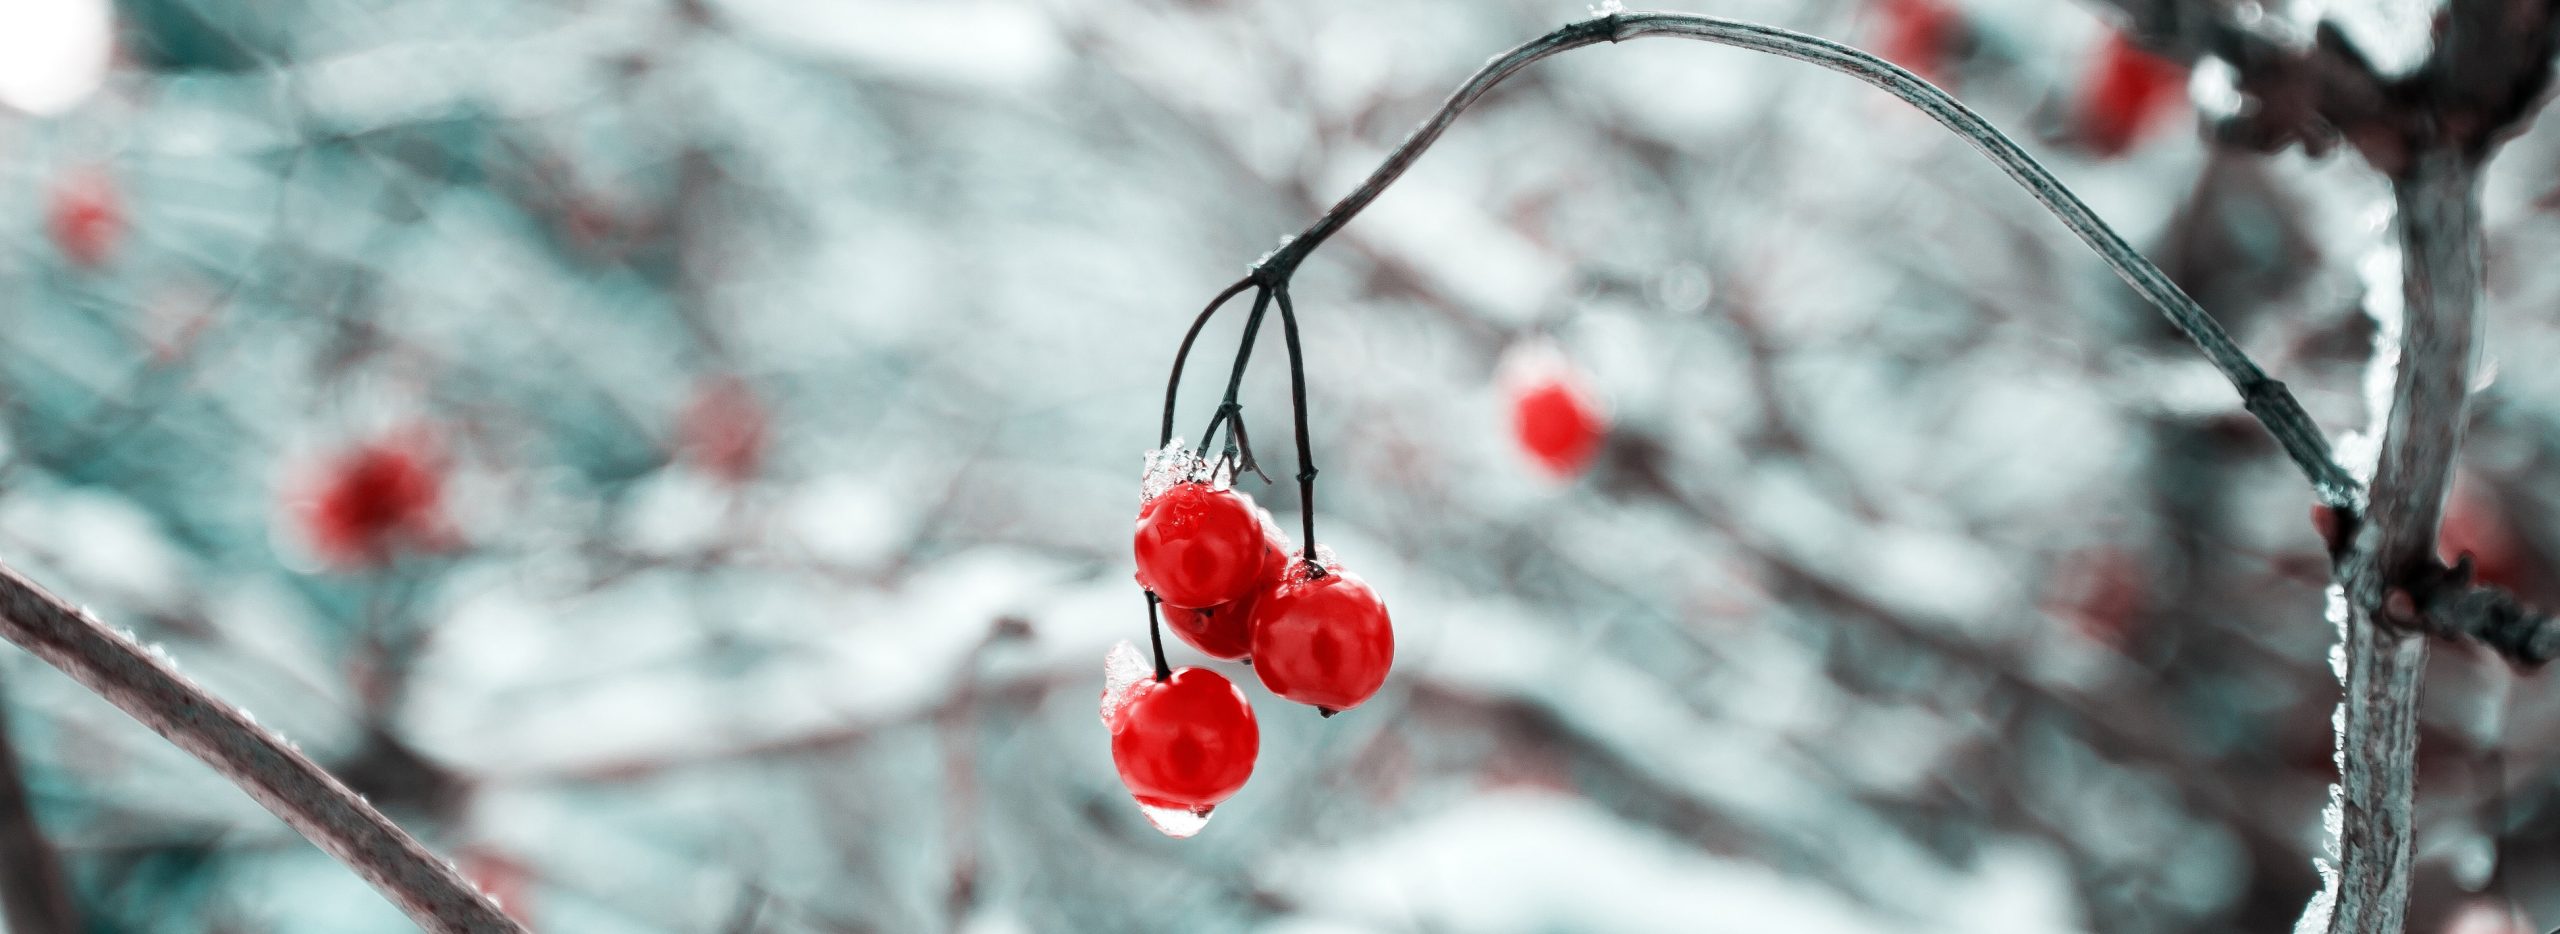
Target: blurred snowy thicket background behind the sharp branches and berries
<point>785,372</point>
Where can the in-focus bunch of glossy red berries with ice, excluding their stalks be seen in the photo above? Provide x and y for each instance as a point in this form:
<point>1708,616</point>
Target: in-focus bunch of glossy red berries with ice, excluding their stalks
<point>1230,585</point>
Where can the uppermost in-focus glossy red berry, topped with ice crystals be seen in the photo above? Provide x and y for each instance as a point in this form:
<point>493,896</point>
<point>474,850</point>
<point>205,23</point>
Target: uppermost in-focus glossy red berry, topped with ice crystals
<point>1199,546</point>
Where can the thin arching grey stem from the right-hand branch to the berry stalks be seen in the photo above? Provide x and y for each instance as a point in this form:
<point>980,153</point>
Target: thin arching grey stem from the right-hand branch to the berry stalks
<point>2259,393</point>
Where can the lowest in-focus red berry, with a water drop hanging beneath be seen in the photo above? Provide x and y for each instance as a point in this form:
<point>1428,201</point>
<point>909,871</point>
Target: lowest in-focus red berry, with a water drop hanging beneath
<point>1184,743</point>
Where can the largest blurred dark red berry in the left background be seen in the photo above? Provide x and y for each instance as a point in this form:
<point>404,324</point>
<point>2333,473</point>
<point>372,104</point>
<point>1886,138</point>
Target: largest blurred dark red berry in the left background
<point>372,503</point>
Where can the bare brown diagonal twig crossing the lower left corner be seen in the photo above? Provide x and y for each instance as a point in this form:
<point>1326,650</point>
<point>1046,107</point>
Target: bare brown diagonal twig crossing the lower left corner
<point>262,764</point>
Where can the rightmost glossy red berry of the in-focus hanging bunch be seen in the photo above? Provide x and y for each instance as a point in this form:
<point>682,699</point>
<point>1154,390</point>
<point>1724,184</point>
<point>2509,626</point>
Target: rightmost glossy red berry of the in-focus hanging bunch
<point>1322,641</point>
